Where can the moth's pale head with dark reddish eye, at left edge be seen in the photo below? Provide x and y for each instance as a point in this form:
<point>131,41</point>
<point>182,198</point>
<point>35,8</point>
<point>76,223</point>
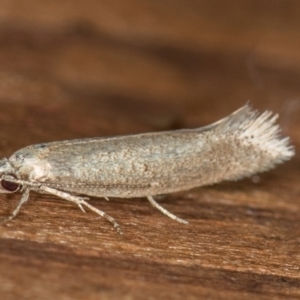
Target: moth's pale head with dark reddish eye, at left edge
<point>8,178</point>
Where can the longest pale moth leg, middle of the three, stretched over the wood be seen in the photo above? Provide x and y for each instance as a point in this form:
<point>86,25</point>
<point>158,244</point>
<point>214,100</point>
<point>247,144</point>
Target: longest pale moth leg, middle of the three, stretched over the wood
<point>79,201</point>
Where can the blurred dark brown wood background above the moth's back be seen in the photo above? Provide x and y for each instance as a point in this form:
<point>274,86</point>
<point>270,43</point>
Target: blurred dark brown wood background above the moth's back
<point>105,67</point>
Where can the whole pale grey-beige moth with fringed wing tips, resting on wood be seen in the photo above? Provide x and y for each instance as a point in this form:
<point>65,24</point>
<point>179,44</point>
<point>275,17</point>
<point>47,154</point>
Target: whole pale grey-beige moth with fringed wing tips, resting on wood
<point>148,164</point>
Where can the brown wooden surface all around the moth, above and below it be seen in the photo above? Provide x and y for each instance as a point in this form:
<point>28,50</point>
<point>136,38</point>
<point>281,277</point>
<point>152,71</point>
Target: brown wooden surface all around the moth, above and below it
<point>71,69</point>
